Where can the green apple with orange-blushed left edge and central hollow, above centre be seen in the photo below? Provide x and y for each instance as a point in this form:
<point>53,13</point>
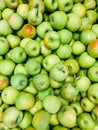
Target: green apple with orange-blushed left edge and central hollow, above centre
<point>52,40</point>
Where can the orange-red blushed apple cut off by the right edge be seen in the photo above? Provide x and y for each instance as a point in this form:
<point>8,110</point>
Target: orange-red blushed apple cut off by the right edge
<point>92,49</point>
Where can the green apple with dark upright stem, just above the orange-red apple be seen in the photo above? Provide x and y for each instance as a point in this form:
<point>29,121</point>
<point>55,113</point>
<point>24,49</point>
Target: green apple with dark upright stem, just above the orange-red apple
<point>35,17</point>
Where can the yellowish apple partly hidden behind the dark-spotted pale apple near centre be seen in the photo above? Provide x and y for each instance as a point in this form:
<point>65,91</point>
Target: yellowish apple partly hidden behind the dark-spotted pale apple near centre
<point>73,66</point>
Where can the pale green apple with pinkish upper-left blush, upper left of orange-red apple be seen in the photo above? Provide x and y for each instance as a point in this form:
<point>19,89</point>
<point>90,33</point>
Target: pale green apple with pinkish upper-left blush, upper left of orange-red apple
<point>15,21</point>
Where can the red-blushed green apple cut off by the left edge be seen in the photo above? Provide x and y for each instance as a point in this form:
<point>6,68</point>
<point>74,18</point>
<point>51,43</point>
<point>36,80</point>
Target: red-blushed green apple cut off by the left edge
<point>4,81</point>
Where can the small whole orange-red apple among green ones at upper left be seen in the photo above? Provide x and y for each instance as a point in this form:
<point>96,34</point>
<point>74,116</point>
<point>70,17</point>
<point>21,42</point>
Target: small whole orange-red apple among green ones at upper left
<point>28,31</point>
